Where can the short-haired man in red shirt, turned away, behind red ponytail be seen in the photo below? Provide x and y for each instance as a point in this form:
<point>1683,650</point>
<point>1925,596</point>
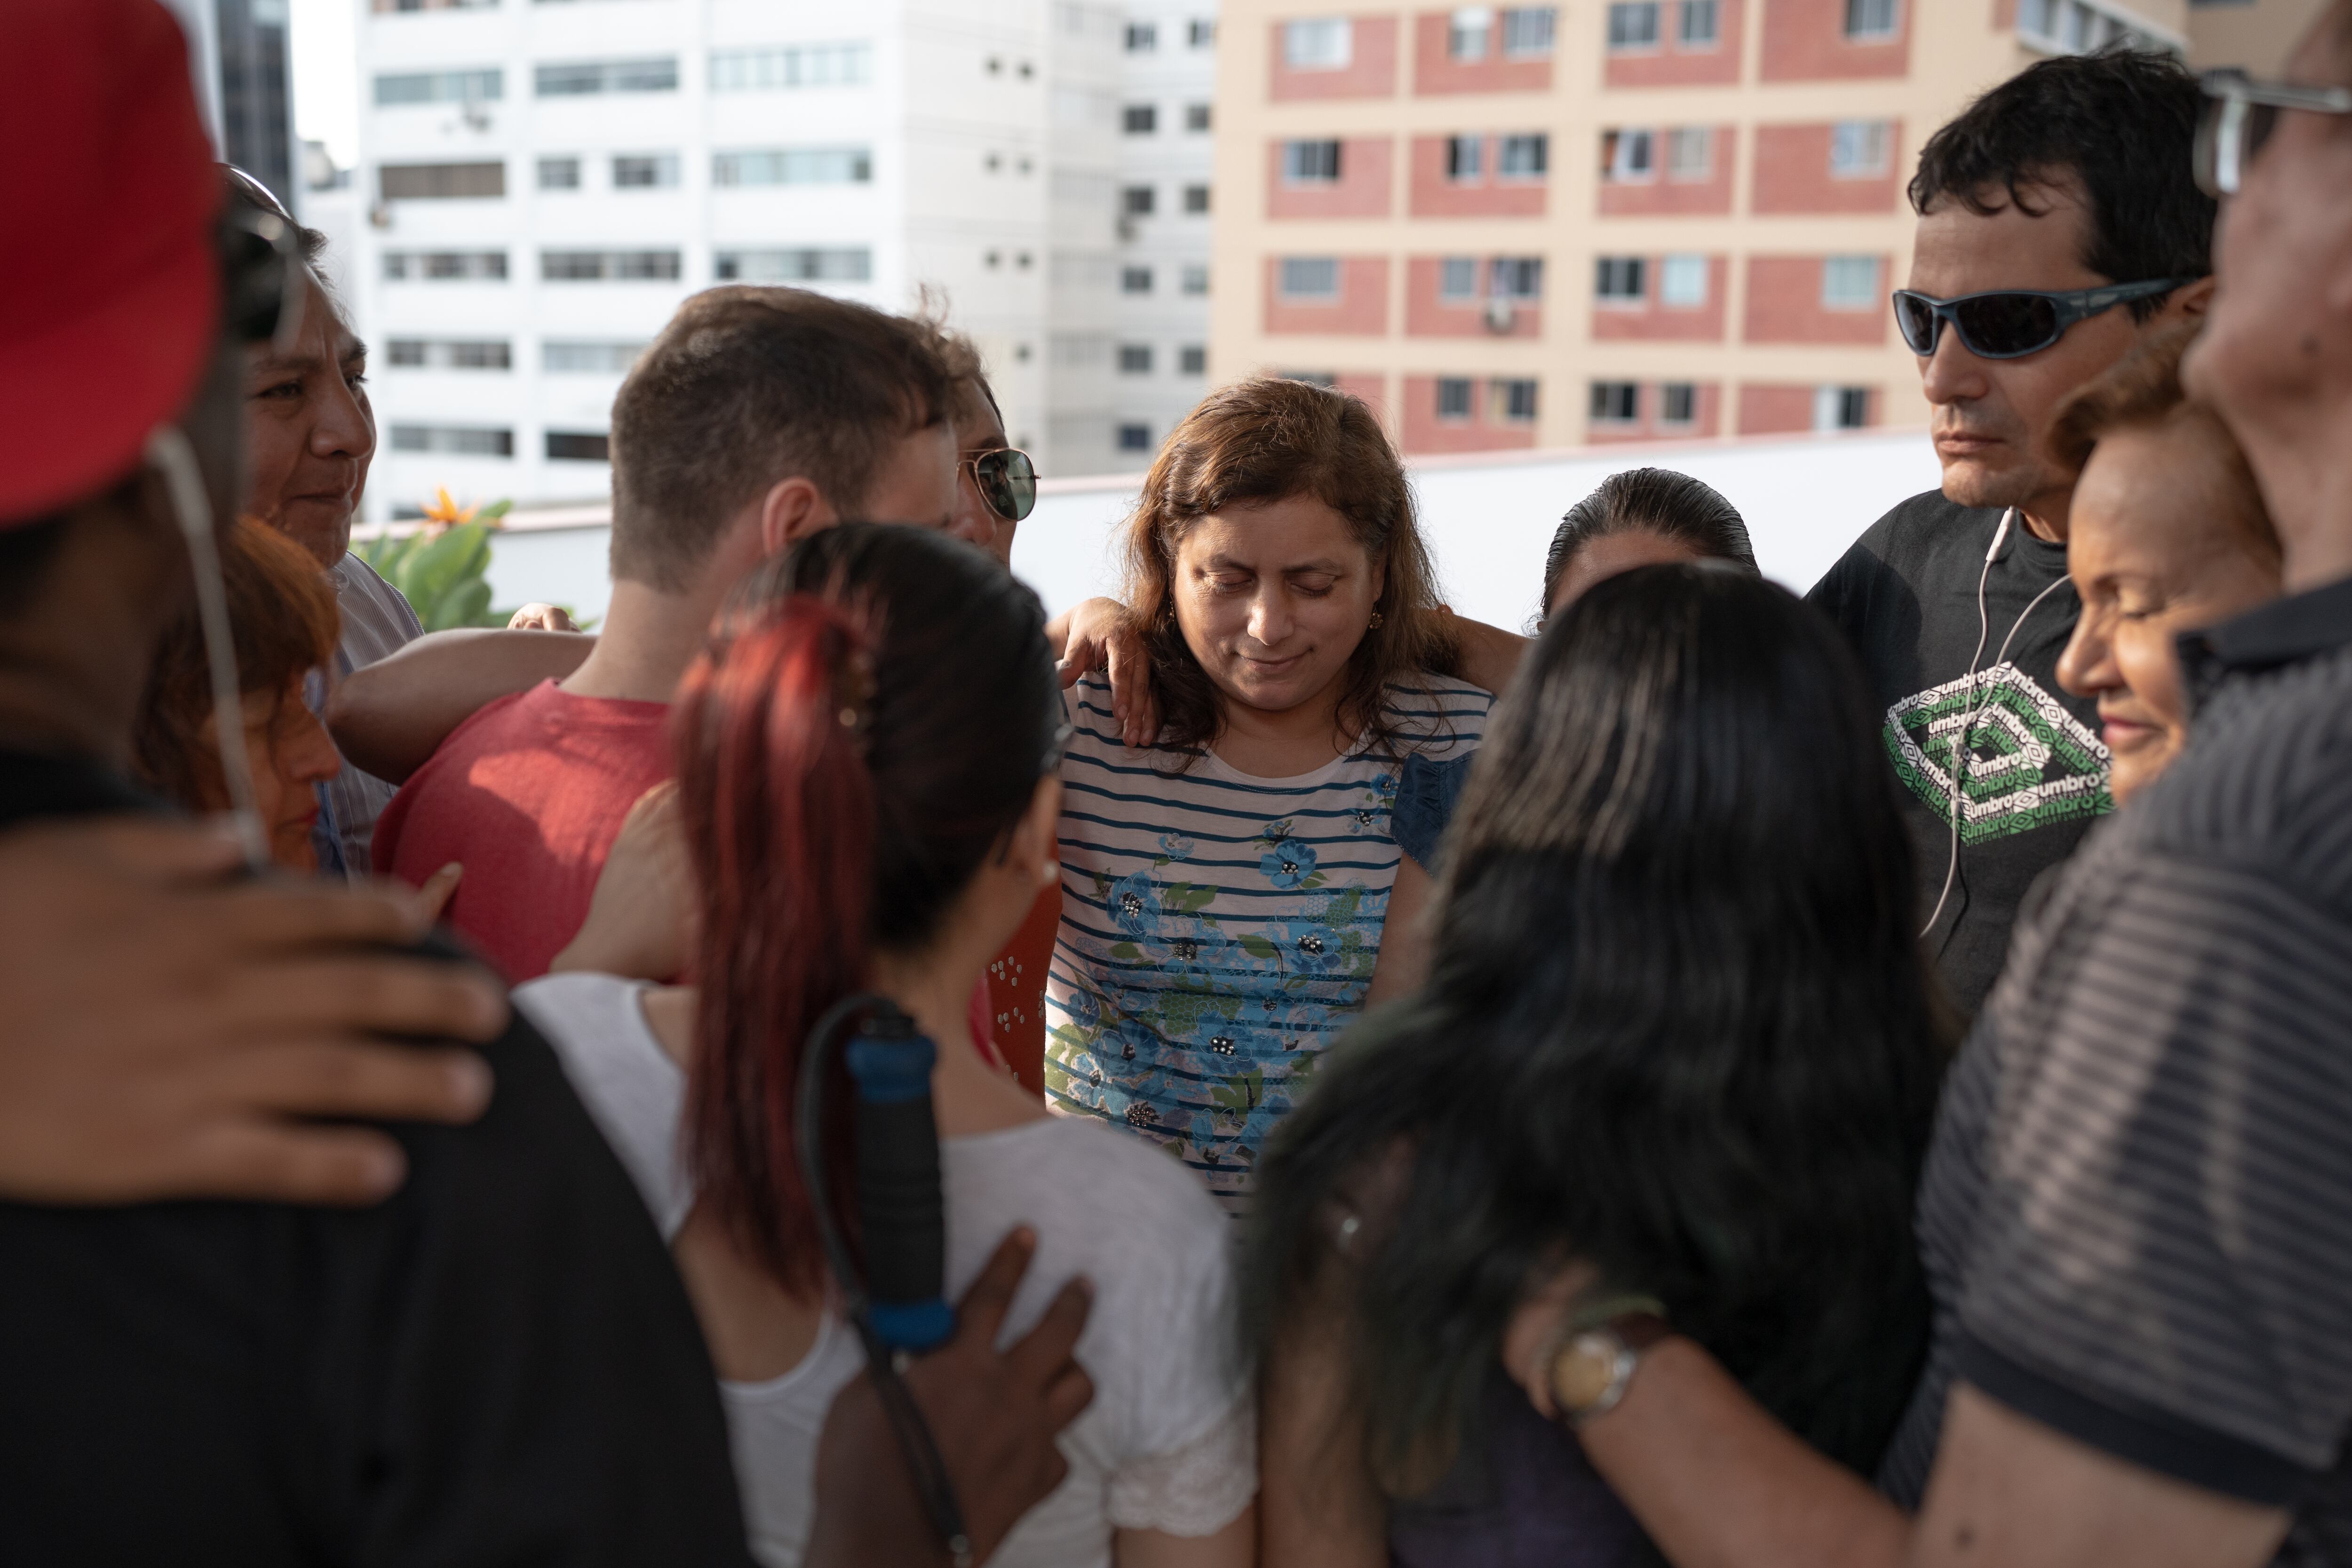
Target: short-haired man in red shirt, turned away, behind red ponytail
<point>756,420</point>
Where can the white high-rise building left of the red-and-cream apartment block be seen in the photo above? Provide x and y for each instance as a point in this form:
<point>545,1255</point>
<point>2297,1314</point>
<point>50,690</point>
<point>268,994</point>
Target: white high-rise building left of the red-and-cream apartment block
<point>544,182</point>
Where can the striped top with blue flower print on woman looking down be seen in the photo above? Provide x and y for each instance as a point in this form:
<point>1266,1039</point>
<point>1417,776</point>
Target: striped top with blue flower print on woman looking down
<point>1217,930</point>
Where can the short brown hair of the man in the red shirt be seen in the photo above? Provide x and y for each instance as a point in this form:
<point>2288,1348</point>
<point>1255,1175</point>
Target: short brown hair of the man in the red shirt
<point>751,387</point>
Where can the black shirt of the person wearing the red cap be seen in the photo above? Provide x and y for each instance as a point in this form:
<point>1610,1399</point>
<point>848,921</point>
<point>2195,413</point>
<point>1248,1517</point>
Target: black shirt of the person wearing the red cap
<point>497,1365</point>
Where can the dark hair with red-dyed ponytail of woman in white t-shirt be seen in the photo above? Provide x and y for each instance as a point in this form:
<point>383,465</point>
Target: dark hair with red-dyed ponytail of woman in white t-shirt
<point>867,725</point>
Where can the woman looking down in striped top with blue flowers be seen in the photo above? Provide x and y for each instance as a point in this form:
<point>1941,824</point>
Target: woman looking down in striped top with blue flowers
<point>1241,890</point>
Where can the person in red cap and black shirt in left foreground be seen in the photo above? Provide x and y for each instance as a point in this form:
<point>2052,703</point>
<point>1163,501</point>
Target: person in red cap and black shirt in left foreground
<point>497,1362</point>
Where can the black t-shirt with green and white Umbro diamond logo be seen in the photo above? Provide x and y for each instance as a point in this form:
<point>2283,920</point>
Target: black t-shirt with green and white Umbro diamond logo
<point>2033,775</point>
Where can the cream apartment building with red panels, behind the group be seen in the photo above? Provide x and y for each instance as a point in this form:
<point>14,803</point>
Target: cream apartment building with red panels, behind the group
<point>1605,220</point>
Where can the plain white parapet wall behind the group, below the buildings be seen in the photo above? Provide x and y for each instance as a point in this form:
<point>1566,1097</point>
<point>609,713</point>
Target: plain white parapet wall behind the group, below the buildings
<point>1488,518</point>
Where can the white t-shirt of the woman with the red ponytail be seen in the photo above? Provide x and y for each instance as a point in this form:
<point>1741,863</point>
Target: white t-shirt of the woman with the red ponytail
<point>1170,1440</point>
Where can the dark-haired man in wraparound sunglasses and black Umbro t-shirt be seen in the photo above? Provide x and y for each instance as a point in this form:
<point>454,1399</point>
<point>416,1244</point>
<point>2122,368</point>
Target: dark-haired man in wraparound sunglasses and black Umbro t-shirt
<point>2059,225</point>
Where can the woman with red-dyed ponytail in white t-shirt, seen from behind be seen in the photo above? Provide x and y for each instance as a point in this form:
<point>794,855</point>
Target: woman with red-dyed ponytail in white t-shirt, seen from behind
<point>867,763</point>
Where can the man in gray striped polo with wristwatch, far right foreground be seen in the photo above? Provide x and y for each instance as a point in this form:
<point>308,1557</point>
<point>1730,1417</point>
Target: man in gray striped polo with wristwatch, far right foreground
<point>2139,1207</point>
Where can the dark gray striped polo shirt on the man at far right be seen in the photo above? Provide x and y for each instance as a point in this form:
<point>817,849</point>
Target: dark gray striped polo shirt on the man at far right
<point>2137,1217</point>
